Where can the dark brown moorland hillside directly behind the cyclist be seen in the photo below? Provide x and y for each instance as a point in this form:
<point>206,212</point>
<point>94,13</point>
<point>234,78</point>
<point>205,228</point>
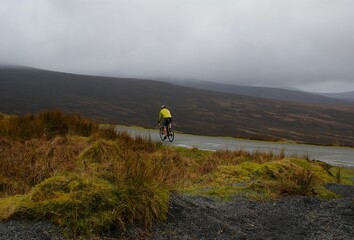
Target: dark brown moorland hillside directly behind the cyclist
<point>137,102</point>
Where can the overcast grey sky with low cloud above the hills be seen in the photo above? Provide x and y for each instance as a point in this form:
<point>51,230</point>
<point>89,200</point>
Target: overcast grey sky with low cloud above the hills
<point>307,44</point>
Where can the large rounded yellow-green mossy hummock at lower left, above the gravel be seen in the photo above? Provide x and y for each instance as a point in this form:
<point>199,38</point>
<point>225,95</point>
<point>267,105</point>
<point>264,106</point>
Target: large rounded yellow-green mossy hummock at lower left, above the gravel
<point>74,201</point>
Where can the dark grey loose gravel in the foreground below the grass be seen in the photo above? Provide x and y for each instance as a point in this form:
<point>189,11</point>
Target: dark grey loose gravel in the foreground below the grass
<point>206,218</point>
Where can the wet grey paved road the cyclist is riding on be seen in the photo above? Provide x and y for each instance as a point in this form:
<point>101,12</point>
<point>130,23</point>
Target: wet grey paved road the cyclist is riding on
<point>333,155</point>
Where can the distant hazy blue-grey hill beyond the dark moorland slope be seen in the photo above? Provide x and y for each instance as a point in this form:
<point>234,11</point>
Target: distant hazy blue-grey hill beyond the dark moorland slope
<point>267,92</point>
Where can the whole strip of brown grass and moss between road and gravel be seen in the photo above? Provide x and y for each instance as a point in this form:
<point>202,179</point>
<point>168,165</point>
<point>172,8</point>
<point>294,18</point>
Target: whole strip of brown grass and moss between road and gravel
<point>89,179</point>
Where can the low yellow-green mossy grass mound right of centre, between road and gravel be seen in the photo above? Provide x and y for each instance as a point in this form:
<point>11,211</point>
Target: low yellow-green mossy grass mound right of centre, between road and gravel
<point>268,180</point>
